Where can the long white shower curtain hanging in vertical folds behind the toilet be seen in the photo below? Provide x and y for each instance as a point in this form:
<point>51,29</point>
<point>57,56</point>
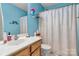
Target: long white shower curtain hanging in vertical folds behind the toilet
<point>58,29</point>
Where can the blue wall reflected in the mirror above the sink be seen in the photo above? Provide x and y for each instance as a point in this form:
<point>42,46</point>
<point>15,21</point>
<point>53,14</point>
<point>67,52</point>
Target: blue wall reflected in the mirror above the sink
<point>10,13</point>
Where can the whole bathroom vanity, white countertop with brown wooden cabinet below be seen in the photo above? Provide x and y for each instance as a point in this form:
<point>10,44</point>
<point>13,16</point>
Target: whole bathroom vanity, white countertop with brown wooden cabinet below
<point>29,47</point>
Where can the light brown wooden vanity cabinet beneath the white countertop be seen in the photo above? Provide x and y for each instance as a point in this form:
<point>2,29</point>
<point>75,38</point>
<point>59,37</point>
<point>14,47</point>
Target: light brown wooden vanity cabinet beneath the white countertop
<point>32,50</point>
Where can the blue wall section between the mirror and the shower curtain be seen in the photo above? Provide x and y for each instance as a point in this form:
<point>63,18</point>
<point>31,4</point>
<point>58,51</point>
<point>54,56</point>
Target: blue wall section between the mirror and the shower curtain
<point>33,22</point>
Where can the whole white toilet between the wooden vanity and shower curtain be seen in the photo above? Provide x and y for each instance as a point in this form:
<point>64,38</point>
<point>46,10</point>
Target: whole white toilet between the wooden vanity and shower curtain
<point>45,49</point>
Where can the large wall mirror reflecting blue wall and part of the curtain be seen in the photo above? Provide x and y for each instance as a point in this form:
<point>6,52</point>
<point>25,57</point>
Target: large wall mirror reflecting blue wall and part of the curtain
<point>12,16</point>
